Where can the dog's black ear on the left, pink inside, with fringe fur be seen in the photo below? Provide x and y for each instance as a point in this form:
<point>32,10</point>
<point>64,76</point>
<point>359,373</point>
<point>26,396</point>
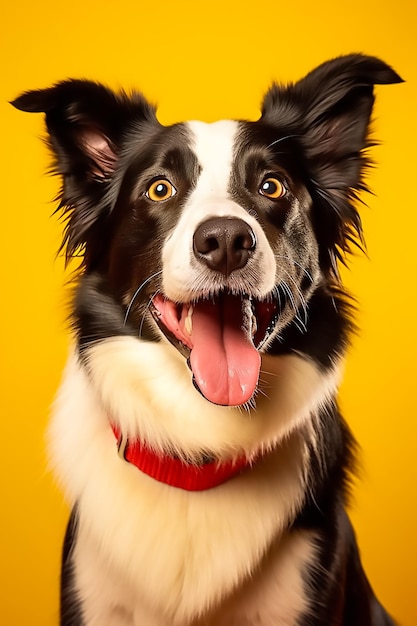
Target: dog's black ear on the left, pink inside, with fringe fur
<point>86,124</point>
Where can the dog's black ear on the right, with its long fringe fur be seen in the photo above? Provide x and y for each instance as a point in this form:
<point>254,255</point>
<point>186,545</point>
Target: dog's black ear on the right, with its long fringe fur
<point>329,113</point>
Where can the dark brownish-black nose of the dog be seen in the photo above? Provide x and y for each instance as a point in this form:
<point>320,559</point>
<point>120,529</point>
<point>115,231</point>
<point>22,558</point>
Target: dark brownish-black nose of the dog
<point>224,244</point>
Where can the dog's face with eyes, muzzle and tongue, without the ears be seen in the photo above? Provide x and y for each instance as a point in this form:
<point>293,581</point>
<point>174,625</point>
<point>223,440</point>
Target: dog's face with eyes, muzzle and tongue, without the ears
<point>216,248</point>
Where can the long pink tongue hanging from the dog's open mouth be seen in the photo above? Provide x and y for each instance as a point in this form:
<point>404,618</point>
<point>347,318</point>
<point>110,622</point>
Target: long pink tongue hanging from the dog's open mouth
<point>225,363</point>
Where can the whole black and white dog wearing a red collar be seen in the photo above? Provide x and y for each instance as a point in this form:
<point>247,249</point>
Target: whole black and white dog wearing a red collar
<point>196,431</point>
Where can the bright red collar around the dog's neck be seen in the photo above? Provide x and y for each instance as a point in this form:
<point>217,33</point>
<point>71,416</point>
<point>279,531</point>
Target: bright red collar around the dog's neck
<point>175,472</point>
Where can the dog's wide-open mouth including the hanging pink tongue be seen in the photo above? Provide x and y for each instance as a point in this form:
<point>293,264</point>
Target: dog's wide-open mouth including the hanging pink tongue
<point>221,336</point>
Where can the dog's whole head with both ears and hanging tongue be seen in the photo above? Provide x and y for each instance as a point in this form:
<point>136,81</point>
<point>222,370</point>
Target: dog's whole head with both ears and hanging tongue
<point>215,235</point>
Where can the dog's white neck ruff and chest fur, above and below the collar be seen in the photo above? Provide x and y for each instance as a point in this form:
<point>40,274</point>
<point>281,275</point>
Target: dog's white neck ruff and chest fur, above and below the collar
<point>169,555</point>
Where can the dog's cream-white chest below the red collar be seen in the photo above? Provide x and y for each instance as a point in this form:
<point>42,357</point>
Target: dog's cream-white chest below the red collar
<point>152,555</point>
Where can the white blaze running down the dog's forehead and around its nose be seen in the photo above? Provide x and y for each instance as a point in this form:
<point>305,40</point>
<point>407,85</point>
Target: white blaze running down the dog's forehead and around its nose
<point>214,146</point>
